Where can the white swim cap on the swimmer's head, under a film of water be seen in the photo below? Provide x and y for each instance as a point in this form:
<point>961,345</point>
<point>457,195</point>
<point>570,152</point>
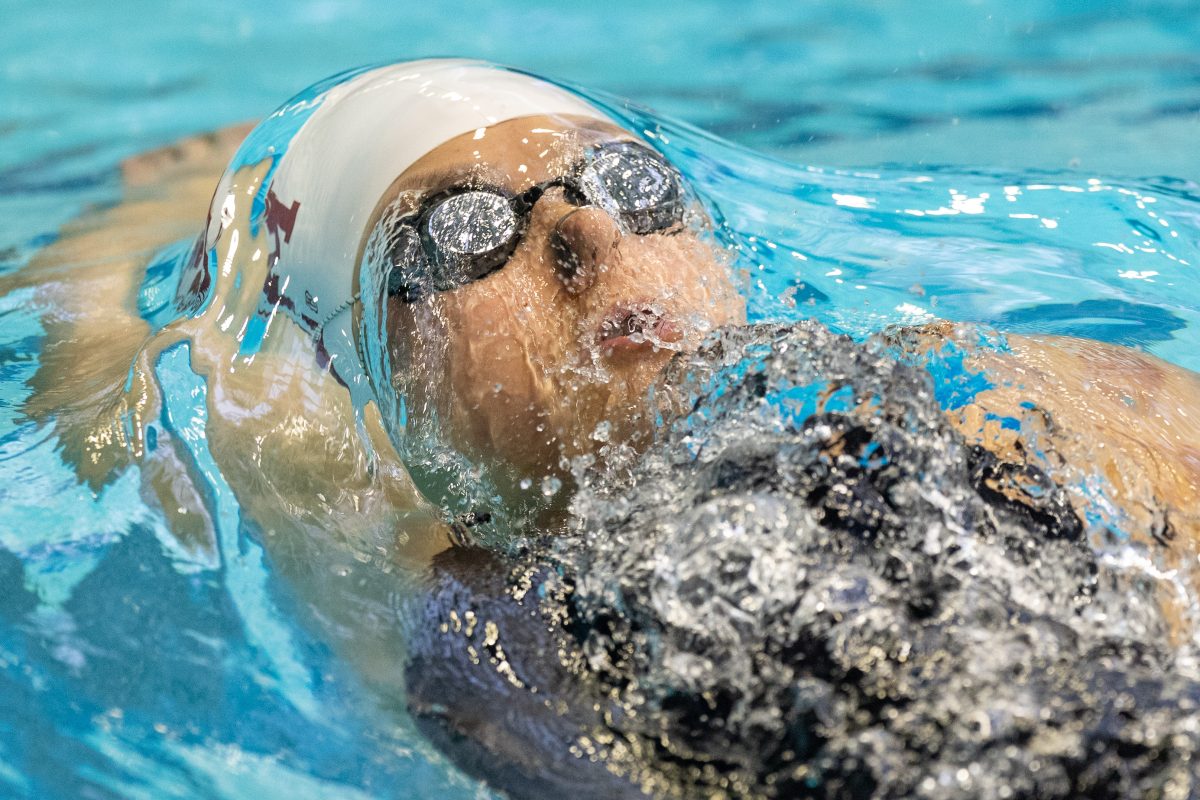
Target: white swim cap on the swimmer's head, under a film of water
<point>365,133</point>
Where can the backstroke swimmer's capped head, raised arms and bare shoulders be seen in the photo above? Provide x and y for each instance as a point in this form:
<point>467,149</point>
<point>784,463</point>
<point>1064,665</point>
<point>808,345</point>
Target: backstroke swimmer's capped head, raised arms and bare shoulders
<point>442,269</point>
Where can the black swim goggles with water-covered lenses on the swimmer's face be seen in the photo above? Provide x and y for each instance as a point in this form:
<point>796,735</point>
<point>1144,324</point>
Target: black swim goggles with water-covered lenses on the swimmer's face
<point>464,234</point>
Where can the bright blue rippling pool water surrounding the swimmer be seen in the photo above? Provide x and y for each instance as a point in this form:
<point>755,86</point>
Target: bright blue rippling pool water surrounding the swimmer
<point>1025,164</point>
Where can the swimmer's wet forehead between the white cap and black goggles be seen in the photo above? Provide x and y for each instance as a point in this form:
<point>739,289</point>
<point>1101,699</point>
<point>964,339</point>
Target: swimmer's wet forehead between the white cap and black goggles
<point>515,154</point>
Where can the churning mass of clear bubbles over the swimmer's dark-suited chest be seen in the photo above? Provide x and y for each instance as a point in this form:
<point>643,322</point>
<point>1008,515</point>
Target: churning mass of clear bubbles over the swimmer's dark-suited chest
<point>813,587</point>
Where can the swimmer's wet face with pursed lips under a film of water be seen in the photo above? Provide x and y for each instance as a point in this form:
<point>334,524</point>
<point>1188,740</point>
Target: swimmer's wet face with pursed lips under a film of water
<point>547,350</point>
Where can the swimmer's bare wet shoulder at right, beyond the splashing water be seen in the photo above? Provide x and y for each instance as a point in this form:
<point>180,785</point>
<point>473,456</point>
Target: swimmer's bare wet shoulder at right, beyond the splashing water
<point>1121,413</point>
